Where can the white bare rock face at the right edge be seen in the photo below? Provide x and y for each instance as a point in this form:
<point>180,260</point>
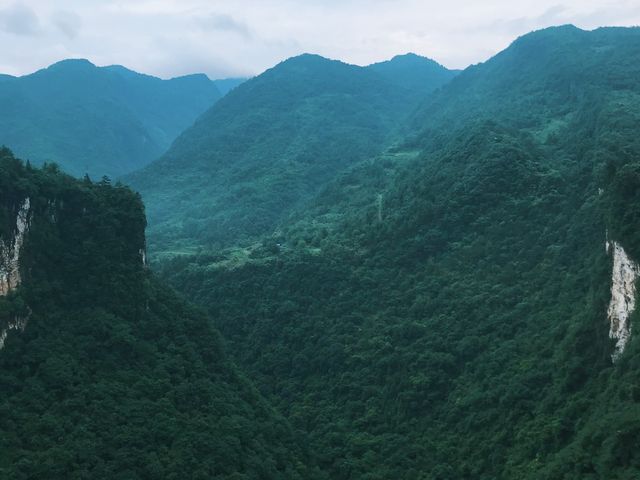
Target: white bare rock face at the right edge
<point>623,297</point>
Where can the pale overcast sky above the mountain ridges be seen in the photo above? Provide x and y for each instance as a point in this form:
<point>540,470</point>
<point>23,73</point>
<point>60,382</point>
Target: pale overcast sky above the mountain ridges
<point>244,37</point>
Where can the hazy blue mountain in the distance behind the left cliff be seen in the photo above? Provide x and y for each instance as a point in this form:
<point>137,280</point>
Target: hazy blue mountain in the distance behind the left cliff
<point>98,120</point>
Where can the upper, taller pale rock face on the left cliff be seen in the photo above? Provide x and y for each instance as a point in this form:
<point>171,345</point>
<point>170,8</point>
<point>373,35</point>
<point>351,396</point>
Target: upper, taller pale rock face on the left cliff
<point>10,251</point>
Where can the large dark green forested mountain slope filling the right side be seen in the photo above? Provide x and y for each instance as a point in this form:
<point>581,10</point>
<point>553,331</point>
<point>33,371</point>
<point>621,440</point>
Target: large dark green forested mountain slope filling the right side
<point>443,309</point>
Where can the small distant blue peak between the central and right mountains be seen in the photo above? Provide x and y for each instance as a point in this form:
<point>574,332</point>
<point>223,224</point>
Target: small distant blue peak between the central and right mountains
<point>414,72</point>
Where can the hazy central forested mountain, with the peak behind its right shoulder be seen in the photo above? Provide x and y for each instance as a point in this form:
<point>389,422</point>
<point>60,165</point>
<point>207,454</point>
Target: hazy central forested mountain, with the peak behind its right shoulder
<point>267,147</point>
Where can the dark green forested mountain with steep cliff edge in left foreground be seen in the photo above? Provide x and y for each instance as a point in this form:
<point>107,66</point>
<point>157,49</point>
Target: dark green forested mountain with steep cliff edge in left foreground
<point>105,372</point>
